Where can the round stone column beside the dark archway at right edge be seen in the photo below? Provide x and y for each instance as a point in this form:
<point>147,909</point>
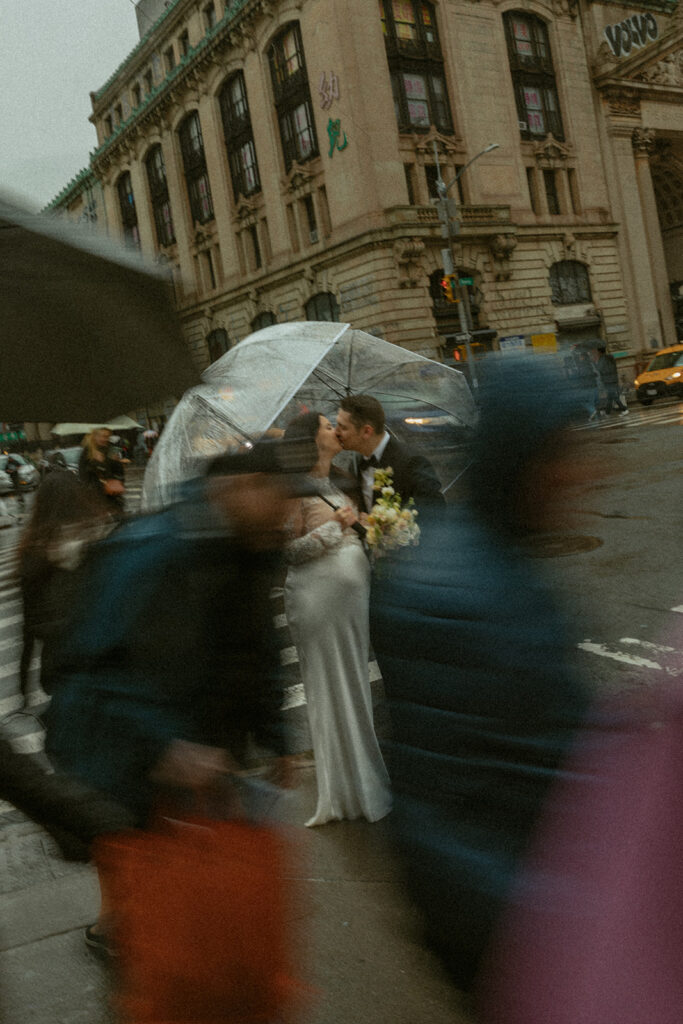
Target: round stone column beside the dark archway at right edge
<point>645,142</point>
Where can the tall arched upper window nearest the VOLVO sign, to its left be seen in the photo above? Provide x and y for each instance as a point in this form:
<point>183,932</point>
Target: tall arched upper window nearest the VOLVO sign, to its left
<point>533,76</point>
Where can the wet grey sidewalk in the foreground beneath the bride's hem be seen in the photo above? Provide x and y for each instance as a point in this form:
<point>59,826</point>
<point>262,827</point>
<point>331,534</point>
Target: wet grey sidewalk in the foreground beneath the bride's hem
<point>364,957</point>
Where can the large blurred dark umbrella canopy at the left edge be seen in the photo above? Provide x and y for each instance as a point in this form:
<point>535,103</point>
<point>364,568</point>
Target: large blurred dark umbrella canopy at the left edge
<point>87,329</point>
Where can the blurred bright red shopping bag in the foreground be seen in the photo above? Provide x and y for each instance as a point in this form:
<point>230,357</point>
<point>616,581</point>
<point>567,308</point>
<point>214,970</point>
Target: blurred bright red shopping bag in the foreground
<point>202,923</point>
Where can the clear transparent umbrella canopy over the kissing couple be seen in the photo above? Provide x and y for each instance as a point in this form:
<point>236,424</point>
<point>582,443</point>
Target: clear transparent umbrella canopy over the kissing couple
<point>269,378</point>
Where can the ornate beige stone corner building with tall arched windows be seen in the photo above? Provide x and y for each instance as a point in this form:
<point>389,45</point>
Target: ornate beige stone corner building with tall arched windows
<point>280,158</point>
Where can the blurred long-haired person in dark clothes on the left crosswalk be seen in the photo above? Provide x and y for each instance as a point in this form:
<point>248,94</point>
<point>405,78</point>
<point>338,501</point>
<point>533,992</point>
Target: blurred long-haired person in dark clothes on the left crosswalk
<point>65,520</point>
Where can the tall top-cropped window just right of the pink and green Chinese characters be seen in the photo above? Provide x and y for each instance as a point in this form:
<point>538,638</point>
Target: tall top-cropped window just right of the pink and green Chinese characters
<point>416,66</point>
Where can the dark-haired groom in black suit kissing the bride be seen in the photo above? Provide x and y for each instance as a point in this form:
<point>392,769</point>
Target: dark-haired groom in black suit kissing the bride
<point>361,429</point>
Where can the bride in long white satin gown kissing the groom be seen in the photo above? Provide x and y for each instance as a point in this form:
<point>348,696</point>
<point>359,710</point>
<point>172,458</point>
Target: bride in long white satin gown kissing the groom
<point>327,603</point>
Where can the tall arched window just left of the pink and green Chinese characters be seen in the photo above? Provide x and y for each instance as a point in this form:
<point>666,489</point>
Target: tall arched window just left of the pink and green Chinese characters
<point>290,87</point>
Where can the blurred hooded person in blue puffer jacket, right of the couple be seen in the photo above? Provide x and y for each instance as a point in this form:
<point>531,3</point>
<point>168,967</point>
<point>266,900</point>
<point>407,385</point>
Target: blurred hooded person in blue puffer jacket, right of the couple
<point>475,655</point>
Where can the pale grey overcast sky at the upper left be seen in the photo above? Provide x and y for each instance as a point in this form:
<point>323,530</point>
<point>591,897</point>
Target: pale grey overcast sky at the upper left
<point>53,55</point>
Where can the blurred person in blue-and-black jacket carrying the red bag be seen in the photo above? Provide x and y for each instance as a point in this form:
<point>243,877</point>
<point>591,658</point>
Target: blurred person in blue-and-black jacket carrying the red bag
<point>156,699</point>
